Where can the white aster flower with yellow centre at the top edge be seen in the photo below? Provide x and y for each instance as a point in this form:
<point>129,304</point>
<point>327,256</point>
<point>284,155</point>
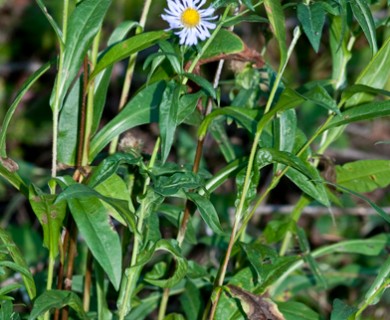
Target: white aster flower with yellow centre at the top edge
<point>193,23</point>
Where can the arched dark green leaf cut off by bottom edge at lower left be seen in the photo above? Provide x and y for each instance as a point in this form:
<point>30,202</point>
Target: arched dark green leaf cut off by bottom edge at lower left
<point>57,299</point>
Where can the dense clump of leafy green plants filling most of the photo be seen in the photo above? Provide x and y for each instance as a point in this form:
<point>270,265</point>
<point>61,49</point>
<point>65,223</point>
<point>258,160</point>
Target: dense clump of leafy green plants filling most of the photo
<point>138,218</point>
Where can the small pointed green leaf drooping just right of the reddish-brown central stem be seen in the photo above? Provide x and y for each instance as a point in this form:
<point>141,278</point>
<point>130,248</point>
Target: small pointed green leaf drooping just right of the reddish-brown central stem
<point>207,211</point>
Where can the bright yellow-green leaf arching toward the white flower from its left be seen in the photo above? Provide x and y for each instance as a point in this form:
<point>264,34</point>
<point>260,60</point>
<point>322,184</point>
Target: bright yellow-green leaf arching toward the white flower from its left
<point>126,48</point>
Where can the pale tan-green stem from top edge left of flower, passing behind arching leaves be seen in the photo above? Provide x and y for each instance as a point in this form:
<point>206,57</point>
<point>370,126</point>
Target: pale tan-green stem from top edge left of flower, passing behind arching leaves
<point>130,71</point>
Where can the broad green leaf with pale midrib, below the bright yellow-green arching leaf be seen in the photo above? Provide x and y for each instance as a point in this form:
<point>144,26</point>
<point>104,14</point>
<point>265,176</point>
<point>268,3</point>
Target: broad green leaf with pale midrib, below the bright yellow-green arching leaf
<point>140,110</point>
